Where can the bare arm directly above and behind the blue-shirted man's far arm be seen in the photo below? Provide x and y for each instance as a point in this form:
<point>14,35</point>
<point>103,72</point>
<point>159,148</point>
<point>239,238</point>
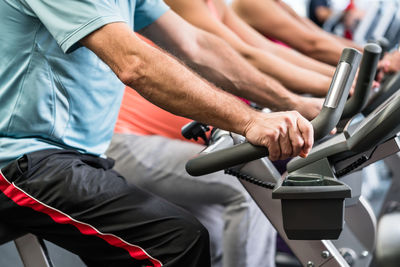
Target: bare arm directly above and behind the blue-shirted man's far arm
<point>291,76</point>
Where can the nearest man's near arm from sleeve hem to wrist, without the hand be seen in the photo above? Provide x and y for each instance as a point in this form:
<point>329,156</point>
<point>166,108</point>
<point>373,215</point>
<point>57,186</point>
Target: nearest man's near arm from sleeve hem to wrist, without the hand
<point>164,81</point>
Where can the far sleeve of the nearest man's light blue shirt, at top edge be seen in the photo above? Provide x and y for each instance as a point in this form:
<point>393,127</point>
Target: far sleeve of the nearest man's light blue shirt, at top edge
<point>148,11</point>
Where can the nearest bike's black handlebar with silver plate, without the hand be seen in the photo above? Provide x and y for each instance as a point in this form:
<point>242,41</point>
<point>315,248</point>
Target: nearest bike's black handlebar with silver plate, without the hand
<point>205,163</point>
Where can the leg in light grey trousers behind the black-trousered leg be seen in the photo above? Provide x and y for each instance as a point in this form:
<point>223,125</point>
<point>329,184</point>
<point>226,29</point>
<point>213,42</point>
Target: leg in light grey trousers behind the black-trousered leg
<point>219,201</point>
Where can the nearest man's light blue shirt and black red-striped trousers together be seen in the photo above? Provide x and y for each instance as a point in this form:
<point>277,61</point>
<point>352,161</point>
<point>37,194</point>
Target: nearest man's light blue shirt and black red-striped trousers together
<point>55,96</point>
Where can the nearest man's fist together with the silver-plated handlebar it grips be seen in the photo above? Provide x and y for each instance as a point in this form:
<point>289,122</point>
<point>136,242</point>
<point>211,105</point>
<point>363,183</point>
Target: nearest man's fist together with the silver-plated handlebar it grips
<point>283,135</point>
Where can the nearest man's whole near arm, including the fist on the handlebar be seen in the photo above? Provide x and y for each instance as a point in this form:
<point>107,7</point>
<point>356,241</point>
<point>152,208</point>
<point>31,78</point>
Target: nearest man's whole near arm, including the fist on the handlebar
<point>168,84</point>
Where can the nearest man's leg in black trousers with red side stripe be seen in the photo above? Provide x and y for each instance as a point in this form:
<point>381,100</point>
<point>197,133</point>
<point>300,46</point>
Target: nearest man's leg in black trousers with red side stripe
<point>77,202</point>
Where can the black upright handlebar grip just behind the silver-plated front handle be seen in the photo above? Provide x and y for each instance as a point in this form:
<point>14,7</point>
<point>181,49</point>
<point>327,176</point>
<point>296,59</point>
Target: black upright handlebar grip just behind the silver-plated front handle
<point>365,78</point>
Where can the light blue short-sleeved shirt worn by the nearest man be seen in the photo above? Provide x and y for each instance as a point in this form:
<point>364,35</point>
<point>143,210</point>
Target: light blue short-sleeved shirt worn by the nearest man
<point>53,92</point>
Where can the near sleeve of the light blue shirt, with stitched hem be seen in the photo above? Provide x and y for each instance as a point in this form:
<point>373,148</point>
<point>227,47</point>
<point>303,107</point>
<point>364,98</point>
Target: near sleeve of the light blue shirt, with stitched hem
<point>69,21</point>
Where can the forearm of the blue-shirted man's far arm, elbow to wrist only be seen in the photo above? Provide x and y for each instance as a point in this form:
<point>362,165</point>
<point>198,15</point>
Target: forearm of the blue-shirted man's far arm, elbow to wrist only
<point>216,61</point>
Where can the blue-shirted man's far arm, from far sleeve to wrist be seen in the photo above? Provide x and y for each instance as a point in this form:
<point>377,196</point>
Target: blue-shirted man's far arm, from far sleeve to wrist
<point>215,60</point>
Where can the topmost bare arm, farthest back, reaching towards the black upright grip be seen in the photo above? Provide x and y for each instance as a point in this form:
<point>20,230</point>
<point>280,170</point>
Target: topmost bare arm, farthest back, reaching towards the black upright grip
<point>270,19</point>
